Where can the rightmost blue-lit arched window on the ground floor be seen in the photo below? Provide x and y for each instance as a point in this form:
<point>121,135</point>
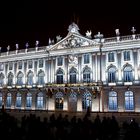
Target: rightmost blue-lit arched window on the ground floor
<point>129,100</point>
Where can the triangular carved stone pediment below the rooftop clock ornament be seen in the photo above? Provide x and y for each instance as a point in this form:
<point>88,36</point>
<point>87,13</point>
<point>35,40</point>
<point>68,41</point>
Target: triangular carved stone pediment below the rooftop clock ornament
<point>72,40</point>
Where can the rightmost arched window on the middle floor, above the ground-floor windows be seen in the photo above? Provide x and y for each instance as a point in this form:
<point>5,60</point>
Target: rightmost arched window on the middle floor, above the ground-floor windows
<point>128,74</point>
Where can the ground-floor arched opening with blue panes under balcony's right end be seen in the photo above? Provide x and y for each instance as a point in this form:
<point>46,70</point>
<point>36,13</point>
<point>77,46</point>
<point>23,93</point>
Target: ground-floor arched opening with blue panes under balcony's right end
<point>86,100</point>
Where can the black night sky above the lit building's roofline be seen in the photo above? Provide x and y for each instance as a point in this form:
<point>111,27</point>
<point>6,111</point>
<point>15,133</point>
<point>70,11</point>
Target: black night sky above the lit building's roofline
<point>27,21</point>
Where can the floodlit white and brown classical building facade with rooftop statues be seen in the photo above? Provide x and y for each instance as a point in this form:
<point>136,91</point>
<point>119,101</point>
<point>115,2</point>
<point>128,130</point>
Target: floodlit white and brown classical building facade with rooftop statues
<point>73,74</point>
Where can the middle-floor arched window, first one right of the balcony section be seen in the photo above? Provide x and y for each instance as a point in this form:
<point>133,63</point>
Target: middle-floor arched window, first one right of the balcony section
<point>111,75</point>
